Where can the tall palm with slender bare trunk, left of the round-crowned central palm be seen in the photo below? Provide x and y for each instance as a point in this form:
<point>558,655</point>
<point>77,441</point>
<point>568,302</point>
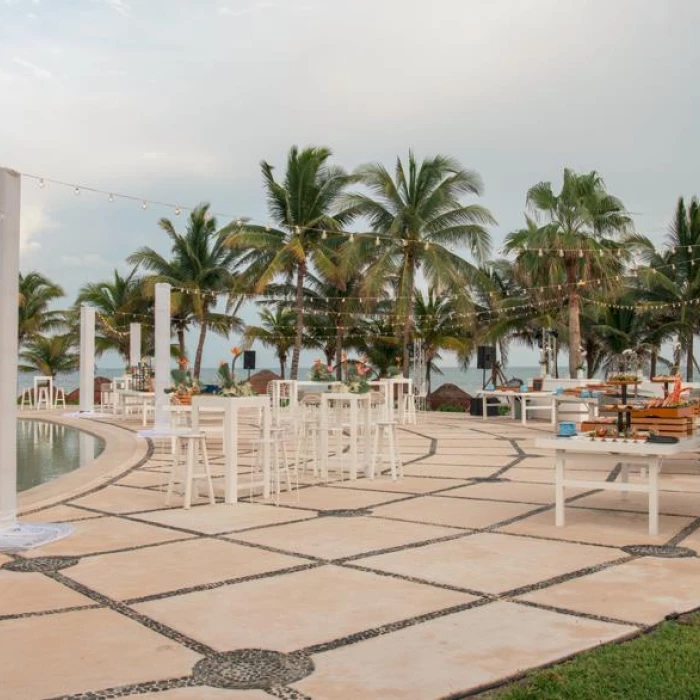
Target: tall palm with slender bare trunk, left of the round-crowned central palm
<point>301,207</point>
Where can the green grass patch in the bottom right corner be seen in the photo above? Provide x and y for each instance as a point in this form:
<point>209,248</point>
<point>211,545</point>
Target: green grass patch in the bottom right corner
<point>664,664</point>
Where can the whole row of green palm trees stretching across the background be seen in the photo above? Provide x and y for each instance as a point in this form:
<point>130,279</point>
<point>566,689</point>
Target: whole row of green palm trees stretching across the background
<point>382,261</point>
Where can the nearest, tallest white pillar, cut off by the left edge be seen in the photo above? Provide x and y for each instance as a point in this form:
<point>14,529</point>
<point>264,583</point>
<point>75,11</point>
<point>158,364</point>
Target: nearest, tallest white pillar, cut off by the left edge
<point>10,187</point>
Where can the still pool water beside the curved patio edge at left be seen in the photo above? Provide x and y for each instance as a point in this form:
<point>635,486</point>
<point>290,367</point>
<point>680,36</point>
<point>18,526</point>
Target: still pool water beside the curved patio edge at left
<point>46,451</point>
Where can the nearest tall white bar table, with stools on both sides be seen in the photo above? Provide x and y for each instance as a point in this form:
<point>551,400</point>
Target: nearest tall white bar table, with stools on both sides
<point>229,406</point>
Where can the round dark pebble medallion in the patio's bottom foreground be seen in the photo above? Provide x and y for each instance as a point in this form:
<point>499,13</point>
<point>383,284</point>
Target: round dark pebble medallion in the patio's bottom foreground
<point>251,669</point>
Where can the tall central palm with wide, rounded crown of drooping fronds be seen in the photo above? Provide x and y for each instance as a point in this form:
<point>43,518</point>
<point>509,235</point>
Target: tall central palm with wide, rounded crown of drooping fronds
<point>420,216</point>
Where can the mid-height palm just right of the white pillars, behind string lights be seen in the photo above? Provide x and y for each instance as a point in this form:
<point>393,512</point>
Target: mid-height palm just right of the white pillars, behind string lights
<point>202,265</point>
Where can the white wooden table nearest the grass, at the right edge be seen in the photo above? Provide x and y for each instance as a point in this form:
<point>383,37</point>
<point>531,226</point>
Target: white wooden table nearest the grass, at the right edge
<point>645,454</point>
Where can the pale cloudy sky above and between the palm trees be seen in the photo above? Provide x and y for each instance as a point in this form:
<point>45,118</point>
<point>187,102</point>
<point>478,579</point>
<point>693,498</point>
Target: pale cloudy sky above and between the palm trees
<point>180,100</point>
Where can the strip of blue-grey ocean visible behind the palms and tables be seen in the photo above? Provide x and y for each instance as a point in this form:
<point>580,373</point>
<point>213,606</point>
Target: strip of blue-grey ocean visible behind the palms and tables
<point>470,380</point>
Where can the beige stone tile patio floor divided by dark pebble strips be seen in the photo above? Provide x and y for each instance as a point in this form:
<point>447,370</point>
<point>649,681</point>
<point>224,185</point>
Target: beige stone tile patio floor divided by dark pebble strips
<point>438,585</point>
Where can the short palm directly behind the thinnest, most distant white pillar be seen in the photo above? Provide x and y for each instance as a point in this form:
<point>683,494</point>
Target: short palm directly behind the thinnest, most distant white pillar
<point>118,302</point>
